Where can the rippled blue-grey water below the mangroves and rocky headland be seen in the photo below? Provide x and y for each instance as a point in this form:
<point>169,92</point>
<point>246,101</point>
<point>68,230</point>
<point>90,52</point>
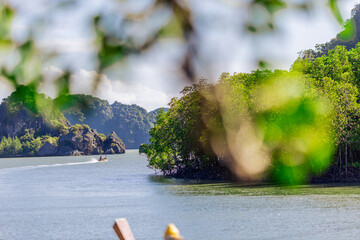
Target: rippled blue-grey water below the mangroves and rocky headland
<point>79,198</point>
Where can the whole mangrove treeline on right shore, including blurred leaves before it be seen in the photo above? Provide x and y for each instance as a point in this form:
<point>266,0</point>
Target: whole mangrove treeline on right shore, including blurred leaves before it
<point>300,123</point>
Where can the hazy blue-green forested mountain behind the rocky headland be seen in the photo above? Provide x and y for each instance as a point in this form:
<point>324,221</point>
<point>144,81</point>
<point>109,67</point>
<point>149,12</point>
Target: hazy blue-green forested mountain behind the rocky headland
<point>131,122</point>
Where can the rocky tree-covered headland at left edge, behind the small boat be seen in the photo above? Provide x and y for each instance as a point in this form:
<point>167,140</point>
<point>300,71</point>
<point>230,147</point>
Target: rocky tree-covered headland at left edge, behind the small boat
<point>32,125</point>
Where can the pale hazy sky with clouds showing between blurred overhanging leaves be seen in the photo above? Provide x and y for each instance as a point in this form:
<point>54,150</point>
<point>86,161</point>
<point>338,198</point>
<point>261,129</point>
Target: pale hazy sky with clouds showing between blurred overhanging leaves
<point>151,80</point>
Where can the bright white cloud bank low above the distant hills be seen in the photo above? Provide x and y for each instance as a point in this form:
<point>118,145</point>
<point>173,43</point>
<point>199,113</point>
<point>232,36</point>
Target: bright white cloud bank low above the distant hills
<point>129,92</point>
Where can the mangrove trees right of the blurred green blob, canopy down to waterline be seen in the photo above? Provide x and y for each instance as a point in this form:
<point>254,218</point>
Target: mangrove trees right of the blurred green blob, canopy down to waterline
<point>337,74</point>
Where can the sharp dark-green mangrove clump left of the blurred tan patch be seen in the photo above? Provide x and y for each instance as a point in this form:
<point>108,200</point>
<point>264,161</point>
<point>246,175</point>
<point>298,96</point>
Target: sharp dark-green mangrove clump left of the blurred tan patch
<point>180,139</point>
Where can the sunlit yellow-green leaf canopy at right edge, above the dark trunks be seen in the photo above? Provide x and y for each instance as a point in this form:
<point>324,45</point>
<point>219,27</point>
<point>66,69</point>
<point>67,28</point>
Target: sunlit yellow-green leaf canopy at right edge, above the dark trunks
<point>337,76</point>
